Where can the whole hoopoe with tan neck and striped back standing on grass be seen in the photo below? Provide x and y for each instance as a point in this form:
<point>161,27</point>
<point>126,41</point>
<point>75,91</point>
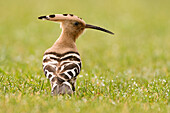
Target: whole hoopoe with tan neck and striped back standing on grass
<point>61,62</point>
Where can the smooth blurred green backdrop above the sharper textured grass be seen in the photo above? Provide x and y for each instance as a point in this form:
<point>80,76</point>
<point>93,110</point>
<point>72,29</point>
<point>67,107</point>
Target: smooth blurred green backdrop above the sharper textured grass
<point>141,31</point>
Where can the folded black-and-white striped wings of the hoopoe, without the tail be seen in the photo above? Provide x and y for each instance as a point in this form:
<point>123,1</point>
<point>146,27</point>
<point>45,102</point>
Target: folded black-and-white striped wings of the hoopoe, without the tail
<point>61,67</point>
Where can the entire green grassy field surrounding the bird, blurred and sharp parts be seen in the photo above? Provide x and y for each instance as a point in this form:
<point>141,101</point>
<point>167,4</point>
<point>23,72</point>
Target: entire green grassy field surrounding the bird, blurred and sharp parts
<point>125,73</point>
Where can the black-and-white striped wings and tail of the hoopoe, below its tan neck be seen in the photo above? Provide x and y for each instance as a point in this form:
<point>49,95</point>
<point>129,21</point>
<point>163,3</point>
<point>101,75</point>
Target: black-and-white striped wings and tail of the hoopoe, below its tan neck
<point>62,70</point>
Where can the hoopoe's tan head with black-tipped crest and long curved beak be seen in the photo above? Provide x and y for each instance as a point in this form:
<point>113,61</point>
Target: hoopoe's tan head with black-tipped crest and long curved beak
<point>71,24</point>
